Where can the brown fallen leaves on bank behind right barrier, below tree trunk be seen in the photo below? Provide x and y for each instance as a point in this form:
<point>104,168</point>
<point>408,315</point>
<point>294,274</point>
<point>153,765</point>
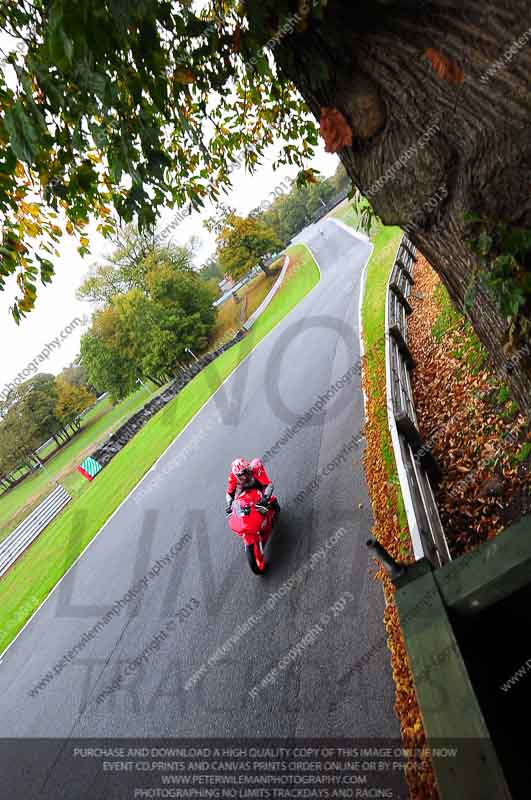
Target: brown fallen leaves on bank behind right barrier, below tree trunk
<point>474,435</point>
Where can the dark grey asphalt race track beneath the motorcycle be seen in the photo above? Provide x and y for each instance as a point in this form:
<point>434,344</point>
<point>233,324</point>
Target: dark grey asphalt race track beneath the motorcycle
<point>317,694</point>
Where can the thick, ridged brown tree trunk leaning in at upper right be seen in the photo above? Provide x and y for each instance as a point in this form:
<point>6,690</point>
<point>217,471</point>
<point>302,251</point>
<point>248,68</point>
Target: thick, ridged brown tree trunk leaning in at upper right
<point>369,61</point>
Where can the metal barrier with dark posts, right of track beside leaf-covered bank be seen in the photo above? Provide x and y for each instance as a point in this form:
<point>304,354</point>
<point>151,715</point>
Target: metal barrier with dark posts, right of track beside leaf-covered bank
<point>415,463</point>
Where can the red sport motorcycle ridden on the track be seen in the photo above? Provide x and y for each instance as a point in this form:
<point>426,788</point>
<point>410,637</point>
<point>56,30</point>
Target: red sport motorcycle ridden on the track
<point>255,524</point>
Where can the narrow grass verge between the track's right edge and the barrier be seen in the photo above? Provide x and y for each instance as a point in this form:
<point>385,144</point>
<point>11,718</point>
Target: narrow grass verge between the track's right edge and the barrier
<point>385,242</point>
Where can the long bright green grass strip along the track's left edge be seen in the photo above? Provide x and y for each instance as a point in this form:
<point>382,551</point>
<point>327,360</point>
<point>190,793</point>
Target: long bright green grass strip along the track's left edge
<point>36,573</point>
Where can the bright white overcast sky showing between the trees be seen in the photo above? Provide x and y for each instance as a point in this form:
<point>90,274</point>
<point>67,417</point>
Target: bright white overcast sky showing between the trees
<point>57,306</point>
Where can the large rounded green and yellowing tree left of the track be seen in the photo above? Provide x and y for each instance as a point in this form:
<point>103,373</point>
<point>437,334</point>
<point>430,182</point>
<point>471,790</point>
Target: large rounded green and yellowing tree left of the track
<point>152,307</point>
